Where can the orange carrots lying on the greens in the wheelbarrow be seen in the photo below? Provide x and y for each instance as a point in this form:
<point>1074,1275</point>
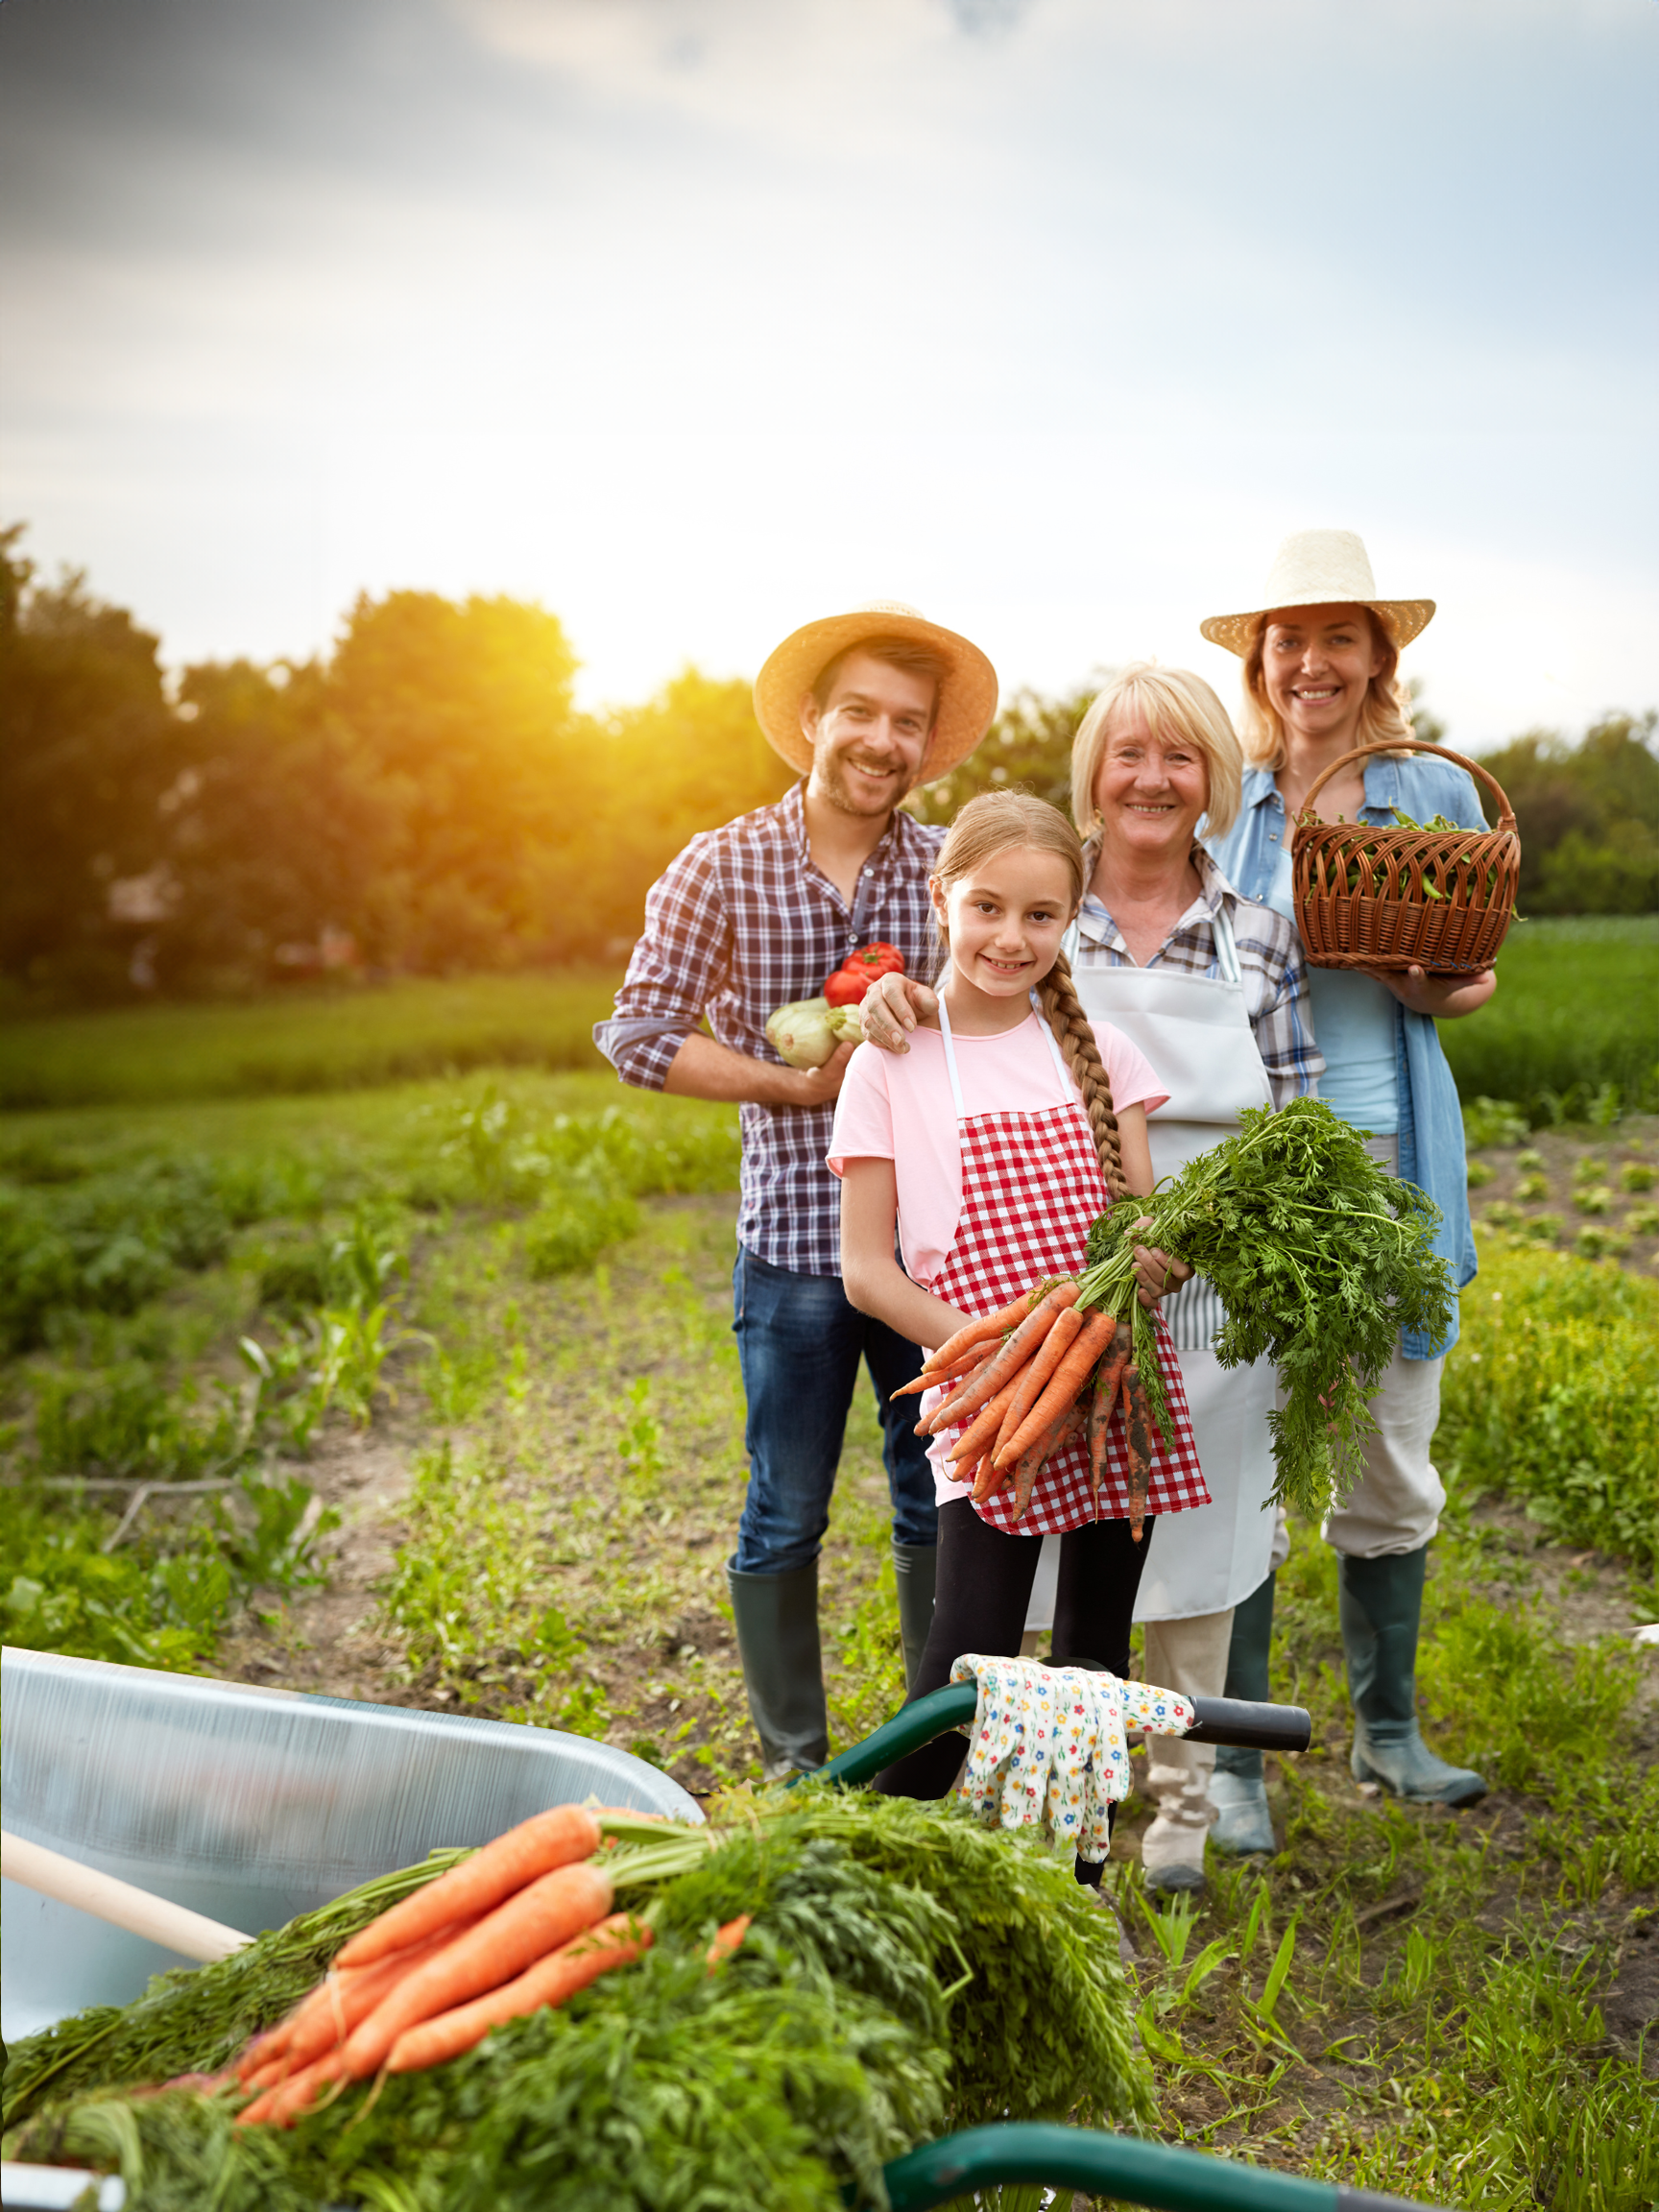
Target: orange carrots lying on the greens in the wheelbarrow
<point>519,1926</point>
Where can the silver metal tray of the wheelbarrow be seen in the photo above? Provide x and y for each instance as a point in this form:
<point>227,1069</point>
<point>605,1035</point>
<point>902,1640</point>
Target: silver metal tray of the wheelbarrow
<point>249,1806</point>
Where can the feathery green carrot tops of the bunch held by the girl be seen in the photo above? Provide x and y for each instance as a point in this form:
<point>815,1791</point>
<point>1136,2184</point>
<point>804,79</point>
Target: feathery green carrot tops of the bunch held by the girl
<point>1319,1262</point>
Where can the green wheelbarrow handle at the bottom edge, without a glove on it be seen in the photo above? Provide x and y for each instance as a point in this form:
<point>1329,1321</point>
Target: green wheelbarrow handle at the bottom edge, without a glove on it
<point>1123,2167</point>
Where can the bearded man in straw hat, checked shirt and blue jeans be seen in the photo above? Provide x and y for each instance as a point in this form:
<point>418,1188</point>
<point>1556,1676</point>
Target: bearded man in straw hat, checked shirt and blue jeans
<point>747,919</point>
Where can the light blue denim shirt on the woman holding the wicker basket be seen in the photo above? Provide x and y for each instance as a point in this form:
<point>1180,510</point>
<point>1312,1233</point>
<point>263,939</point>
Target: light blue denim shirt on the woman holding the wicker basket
<point>1432,1151</point>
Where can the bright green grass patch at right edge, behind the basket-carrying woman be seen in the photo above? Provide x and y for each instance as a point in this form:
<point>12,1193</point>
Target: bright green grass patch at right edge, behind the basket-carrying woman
<point>1574,1023</point>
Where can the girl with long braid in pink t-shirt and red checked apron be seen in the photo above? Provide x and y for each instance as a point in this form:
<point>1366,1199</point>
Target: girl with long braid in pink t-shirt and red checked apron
<point>990,1147</point>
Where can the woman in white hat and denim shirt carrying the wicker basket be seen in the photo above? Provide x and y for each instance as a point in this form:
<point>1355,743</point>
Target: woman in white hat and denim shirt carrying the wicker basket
<point>1319,678</point>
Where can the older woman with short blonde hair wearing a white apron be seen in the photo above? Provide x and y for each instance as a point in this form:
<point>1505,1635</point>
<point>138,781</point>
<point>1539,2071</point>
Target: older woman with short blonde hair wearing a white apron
<point>1211,988</point>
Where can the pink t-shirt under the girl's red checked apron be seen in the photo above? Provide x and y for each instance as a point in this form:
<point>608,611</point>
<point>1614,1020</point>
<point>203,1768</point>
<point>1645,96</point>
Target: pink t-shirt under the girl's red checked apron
<point>899,1107</point>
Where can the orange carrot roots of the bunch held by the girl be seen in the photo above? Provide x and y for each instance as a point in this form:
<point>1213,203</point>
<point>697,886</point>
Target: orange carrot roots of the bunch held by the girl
<point>1032,1377</point>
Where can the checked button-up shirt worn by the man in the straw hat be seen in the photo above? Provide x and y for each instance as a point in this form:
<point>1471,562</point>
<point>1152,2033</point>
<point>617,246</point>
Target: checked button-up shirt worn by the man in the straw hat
<point>744,924</point>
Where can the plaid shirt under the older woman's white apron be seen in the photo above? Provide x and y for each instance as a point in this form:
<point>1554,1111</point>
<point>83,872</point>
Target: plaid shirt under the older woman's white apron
<point>1271,970</point>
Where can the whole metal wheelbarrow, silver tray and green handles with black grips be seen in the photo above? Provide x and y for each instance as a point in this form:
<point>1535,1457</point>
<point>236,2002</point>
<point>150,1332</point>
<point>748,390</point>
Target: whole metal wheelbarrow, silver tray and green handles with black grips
<point>260,1804</point>
